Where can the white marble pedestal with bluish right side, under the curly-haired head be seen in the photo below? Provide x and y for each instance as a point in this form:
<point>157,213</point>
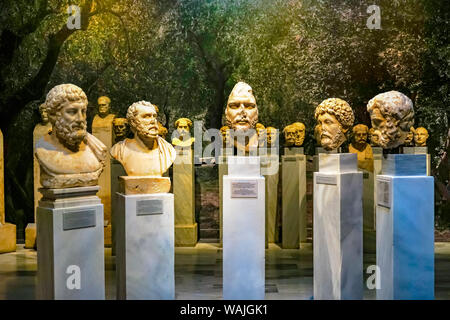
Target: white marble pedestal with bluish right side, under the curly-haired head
<point>338,228</point>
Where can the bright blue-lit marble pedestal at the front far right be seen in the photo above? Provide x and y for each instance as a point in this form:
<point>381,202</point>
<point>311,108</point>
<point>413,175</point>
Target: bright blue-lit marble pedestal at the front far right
<point>405,228</point>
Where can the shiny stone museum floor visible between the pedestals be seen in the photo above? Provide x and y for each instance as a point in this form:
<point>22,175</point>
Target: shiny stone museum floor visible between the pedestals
<point>198,273</point>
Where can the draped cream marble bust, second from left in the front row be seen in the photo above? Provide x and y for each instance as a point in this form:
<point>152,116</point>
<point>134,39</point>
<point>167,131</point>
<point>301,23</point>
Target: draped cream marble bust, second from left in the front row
<point>146,154</point>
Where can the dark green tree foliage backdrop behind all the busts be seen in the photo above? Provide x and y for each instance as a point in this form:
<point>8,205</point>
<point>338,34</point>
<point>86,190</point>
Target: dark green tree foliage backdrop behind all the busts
<point>185,56</point>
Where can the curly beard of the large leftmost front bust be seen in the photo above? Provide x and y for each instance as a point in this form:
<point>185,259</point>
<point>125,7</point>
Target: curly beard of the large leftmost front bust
<point>70,134</point>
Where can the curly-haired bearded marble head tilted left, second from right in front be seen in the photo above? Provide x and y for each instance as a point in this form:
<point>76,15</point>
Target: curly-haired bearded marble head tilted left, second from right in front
<point>334,117</point>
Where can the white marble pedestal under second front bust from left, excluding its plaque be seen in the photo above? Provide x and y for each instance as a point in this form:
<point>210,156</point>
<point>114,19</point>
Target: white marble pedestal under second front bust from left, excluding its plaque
<point>145,253</point>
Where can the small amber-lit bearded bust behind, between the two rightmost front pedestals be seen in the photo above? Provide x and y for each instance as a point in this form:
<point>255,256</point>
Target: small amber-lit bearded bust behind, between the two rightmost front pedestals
<point>360,146</point>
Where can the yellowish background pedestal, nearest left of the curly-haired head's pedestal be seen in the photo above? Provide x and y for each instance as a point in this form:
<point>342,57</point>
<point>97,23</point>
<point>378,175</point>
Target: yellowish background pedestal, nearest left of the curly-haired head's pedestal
<point>293,199</point>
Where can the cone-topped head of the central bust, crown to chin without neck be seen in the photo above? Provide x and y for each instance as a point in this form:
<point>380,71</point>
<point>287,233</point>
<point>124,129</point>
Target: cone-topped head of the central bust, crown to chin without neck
<point>241,112</point>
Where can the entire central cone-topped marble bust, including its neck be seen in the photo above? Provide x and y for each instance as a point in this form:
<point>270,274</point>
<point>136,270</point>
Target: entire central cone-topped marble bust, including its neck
<point>241,115</point>
